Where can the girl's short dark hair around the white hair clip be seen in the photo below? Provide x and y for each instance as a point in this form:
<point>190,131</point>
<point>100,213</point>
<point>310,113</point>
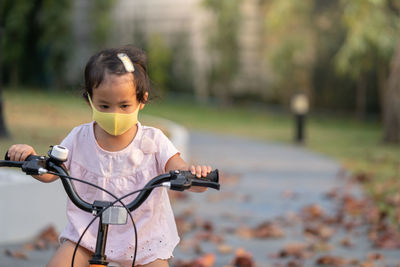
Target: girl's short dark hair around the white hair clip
<point>107,61</point>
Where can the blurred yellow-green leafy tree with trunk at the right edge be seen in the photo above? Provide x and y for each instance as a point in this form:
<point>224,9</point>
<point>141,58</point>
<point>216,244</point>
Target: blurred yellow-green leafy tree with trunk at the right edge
<point>372,34</point>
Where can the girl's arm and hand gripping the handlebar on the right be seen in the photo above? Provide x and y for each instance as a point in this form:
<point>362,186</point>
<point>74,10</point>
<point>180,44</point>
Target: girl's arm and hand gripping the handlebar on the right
<point>177,163</point>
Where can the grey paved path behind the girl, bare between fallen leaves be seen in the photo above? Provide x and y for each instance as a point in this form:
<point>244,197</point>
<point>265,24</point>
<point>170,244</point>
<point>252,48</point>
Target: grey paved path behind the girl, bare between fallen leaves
<point>271,180</point>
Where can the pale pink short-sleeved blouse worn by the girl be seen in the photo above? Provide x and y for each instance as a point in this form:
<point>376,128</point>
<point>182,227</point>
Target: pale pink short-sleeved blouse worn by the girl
<point>122,172</point>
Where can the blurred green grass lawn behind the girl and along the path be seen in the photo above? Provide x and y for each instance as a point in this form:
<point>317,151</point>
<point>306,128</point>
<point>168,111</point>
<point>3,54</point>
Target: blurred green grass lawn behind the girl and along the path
<point>43,119</point>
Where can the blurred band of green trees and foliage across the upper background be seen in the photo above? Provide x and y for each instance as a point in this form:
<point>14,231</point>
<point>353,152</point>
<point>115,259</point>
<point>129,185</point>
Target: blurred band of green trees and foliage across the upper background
<point>338,52</point>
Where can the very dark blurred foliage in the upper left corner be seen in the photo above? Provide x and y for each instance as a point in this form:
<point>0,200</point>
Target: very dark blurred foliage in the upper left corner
<point>36,38</point>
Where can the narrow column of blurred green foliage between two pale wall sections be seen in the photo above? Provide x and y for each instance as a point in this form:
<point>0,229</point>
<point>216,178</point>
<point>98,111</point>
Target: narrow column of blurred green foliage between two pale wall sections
<point>223,47</point>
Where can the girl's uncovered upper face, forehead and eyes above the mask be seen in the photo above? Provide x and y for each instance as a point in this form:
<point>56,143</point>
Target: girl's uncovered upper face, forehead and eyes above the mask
<point>116,94</point>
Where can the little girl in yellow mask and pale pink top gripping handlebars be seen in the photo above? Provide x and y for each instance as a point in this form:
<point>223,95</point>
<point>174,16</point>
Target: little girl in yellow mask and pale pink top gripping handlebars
<point>119,154</point>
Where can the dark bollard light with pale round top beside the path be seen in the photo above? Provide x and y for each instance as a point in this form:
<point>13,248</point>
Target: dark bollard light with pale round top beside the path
<point>299,106</point>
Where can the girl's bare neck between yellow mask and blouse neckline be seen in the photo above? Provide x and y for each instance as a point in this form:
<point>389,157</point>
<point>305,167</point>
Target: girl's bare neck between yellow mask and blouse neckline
<point>114,143</point>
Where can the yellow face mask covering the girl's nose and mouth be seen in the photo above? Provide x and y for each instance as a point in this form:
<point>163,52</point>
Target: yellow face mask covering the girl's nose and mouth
<point>114,123</point>
